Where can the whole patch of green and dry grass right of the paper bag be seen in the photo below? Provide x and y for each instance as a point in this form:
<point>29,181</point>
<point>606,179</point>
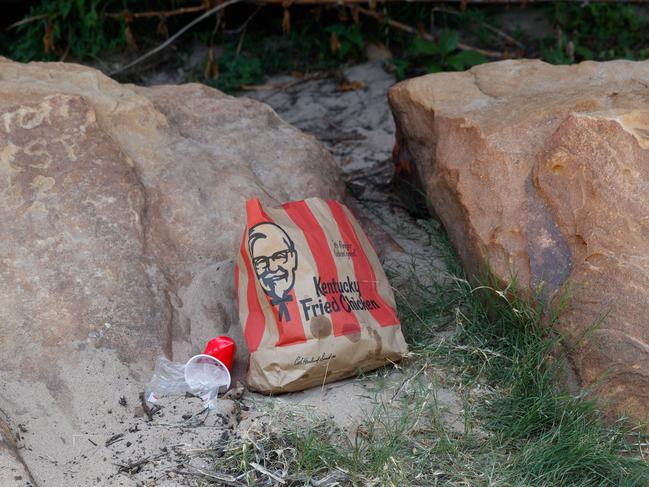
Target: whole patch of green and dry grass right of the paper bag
<point>519,428</point>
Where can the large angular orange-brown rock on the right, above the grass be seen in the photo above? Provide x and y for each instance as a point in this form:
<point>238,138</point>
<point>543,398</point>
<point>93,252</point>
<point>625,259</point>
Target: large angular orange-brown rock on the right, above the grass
<point>543,172</point>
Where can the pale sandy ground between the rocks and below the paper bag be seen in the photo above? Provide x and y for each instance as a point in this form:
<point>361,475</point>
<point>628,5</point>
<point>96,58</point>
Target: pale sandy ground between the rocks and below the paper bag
<point>124,444</point>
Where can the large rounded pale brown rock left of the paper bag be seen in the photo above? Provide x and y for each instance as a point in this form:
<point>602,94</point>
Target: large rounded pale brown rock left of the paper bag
<point>121,209</point>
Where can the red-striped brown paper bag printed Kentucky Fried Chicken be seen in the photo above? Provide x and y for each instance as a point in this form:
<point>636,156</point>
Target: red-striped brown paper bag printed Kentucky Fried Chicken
<point>314,302</point>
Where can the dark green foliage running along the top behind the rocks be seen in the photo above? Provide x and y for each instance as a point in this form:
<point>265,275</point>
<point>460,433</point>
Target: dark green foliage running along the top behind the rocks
<point>316,38</point>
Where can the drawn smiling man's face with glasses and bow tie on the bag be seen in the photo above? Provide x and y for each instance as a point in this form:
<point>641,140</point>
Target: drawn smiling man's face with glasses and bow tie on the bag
<point>274,257</point>
